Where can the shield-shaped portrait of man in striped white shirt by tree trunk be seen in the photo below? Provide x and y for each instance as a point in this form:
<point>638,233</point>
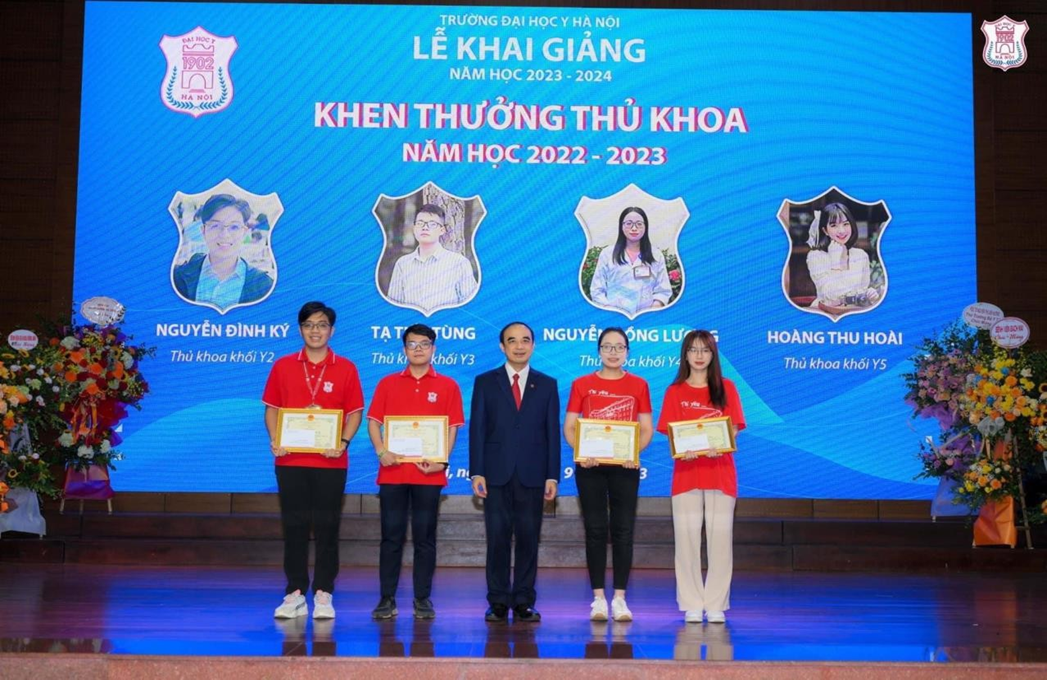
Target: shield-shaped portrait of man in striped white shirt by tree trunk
<point>429,262</point>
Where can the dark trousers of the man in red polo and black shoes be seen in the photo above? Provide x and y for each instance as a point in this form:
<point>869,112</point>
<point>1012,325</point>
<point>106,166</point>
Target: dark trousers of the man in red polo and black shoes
<point>422,503</point>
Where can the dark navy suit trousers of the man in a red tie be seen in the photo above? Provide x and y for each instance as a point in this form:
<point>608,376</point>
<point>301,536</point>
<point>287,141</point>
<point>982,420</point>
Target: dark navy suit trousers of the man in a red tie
<point>508,511</point>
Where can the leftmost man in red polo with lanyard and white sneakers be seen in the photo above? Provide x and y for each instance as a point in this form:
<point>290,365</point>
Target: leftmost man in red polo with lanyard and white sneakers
<point>311,486</point>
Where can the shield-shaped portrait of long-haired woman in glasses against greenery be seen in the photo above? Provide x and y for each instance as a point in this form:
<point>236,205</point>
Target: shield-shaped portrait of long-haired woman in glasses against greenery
<point>632,265</point>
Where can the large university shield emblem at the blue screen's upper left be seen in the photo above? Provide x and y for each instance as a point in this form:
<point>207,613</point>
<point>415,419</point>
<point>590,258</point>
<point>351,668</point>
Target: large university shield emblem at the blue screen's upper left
<point>197,80</point>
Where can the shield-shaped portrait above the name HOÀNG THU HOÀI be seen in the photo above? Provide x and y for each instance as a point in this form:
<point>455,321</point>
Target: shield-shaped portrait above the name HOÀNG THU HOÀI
<point>835,267</point>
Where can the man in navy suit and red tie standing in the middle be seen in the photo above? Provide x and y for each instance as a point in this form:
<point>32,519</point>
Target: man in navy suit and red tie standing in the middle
<point>515,462</point>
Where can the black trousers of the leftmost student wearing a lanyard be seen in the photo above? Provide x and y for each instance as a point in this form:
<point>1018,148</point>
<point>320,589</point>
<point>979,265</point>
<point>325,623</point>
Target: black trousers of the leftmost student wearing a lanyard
<point>310,498</point>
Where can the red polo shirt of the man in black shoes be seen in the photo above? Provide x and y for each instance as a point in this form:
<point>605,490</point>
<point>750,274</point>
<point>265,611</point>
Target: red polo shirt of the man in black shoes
<point>403,394</point>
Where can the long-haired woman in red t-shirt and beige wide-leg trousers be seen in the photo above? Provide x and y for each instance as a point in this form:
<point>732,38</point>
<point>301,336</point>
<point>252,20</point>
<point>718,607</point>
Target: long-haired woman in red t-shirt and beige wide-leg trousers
<point>705,486</point>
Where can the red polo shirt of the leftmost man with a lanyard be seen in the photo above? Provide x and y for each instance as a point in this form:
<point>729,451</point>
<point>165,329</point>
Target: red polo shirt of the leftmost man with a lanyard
<point>338,385</point>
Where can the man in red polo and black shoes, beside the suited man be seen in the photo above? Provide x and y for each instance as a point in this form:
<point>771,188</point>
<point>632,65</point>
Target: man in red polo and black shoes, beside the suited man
<point>416,391</point>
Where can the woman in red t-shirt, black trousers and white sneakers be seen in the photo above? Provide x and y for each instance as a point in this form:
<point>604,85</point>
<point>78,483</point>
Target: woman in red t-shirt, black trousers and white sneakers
<point>610,394</point>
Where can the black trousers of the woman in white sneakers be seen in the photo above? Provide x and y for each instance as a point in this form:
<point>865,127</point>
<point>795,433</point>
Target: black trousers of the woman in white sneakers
<point>598,489</point>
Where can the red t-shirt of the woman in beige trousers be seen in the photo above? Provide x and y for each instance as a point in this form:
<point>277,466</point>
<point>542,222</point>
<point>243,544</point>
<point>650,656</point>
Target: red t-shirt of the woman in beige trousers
<point>684,403</point>
